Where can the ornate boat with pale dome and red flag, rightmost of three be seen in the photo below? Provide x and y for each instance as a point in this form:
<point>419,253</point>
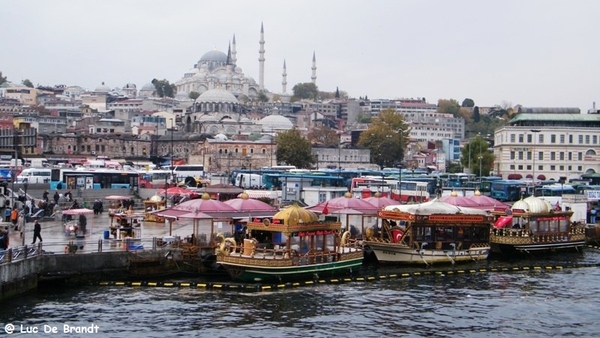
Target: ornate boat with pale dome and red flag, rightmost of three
<point>533,224</point>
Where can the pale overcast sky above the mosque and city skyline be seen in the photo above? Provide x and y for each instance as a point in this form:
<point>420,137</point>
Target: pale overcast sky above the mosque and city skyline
<point>533,53</point>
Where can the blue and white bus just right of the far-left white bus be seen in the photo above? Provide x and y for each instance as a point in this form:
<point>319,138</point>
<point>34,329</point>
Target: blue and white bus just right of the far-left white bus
<point>93,179</point>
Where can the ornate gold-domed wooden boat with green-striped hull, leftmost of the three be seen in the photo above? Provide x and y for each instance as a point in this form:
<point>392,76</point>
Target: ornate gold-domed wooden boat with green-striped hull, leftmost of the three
<point>291,246</point>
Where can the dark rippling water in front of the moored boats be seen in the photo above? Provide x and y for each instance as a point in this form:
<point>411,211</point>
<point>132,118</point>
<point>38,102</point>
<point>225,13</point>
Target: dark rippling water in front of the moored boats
<point>538,303</point>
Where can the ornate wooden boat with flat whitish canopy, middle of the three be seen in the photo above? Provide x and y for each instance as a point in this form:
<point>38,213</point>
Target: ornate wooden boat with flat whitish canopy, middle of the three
<point>429,233</point>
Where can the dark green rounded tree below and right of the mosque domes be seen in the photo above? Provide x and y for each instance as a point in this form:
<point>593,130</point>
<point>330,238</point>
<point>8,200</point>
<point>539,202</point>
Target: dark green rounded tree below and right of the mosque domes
<point>294,149</point>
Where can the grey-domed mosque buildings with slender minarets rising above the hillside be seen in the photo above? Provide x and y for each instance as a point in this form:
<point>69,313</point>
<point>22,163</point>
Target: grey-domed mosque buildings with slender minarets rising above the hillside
<point>224,89</point>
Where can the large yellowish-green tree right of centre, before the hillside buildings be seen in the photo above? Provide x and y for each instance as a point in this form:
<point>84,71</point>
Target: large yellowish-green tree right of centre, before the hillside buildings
<point>386,137</point>
